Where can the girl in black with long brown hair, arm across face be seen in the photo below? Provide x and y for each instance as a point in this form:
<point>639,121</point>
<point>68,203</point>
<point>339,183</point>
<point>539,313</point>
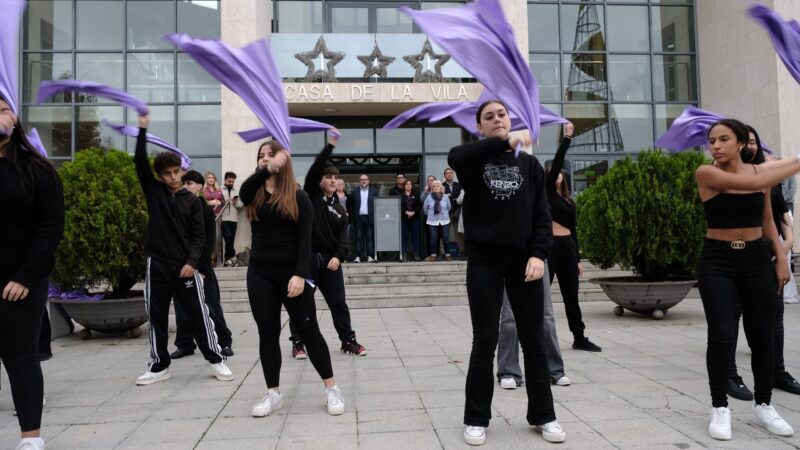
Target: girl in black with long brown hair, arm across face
<point>280,217</point>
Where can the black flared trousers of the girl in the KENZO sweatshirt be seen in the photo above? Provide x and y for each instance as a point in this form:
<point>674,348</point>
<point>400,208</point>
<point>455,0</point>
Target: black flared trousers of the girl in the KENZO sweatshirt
<point>489,269</point>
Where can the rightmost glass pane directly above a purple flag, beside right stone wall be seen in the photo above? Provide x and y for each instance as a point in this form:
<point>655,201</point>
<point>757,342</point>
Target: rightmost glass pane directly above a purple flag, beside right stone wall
<point>674,78</point>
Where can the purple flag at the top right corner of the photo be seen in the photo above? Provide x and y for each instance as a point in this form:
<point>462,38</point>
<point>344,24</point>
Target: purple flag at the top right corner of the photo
<point>785,36</point>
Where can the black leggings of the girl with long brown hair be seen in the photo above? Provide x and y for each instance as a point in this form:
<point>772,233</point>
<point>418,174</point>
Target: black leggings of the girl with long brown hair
<point>266,287</point>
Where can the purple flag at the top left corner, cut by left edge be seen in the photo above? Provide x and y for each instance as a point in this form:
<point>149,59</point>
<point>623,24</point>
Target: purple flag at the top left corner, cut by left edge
<point>10,19</point>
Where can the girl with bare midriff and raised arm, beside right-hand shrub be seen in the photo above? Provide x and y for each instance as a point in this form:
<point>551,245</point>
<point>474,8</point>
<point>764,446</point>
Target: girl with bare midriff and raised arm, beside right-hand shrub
<point>564,259</point>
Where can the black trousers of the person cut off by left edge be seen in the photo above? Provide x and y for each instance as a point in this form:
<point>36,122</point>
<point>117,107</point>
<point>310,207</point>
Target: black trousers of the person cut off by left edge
<point>20,323</point>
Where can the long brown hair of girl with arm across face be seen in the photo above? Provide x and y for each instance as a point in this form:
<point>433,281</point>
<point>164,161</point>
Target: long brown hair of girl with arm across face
<point>284,196</point>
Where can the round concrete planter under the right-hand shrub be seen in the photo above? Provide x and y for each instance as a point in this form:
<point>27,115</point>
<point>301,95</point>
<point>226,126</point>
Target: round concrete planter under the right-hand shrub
<point>644,297</point>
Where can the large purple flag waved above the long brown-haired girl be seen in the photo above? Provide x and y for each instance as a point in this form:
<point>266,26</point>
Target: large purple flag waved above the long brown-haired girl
<point>250,72</point>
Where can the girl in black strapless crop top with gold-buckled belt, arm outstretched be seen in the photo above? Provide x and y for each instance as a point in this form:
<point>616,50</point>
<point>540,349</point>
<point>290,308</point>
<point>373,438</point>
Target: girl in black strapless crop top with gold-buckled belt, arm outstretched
<point>736,269</point>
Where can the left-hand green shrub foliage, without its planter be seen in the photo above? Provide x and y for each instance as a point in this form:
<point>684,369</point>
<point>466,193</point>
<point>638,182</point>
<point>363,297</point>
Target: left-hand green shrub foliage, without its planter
<point>105,223</point>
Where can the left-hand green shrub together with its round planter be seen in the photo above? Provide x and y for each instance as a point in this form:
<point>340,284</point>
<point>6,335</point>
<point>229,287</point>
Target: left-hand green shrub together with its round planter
<point>103,245</point>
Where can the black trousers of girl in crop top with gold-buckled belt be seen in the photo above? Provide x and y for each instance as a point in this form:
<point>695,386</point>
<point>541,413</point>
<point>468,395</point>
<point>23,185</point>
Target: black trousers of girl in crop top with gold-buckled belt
<point>745,278</point>
